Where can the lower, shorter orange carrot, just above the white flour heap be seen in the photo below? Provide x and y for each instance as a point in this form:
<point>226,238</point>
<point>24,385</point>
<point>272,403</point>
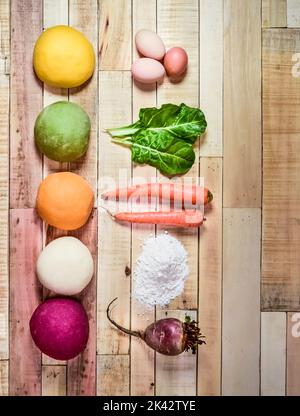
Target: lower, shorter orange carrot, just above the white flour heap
<point>188,218</point>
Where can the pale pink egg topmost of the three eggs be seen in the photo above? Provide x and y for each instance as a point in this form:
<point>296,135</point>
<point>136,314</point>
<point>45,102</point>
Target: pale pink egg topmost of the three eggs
<point>149,44</point>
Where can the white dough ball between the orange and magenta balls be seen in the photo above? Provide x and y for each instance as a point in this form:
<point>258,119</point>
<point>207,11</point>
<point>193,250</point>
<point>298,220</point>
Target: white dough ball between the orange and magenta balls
<point>65,266</point>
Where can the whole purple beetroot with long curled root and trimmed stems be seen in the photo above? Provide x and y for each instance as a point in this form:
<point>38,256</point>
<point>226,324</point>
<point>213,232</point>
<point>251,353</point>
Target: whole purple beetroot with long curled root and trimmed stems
<point>168,336</point>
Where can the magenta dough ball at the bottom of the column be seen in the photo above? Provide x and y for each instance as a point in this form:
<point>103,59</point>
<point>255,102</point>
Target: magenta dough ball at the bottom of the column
<point>60,328</point>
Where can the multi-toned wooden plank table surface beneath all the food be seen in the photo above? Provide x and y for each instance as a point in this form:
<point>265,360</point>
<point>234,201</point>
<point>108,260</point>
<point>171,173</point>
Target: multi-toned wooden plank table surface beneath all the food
<point>244,282</point>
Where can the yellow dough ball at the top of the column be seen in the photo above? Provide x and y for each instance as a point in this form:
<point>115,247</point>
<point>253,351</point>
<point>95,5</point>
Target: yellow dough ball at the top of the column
<point>63,57</point>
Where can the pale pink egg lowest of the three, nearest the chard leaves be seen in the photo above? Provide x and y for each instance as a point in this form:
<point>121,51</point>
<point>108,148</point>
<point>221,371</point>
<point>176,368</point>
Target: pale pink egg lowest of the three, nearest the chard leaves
<point>147,71</point>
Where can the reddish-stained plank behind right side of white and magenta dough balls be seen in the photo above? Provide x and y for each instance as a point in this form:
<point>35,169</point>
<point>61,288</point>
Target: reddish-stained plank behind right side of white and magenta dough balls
<point>81,376</point>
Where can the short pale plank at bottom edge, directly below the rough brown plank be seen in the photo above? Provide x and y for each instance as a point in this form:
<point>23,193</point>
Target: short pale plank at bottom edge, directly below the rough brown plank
<point>273,353</point>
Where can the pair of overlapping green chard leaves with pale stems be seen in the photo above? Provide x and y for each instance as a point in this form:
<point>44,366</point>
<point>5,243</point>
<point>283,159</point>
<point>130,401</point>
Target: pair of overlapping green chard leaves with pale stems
<point>163,137</point>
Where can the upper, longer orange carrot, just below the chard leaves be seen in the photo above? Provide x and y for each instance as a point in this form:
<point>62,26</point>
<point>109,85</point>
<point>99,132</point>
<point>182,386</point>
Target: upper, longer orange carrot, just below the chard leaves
<point>187,194</point>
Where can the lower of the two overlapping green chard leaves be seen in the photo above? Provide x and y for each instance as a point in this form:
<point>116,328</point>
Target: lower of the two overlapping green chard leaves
<point>168,154</point>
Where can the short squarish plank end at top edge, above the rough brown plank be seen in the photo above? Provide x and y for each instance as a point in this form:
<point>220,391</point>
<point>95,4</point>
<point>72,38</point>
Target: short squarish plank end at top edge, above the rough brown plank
<point>274,13</point>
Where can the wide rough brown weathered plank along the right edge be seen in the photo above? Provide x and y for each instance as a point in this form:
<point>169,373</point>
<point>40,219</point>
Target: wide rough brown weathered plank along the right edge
<point>281,164</point>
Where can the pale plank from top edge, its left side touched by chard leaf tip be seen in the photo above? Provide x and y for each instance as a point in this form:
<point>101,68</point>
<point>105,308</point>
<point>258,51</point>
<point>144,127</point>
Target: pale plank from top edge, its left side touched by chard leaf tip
<point>211,75</point>
